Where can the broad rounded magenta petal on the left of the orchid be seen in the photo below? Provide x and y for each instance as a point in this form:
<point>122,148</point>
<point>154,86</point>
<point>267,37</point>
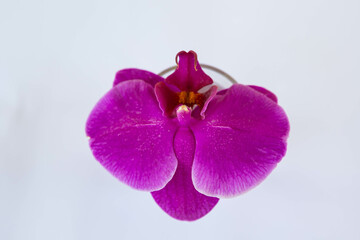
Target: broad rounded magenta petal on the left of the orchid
<point>129,136</point>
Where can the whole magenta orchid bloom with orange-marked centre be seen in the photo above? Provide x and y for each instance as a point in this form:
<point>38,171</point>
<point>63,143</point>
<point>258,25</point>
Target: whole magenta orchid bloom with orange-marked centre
<point>186,146</point>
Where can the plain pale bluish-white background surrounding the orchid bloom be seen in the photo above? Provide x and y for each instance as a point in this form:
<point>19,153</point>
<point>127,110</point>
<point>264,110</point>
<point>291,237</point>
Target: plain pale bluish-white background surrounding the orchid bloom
<point>57,58</point>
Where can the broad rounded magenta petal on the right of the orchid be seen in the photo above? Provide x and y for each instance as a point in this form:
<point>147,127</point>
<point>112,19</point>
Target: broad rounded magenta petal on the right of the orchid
<point>239,143</point>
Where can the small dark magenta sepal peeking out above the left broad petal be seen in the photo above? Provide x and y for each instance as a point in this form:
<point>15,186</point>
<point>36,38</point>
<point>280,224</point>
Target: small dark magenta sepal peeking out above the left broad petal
<point>138,74</point>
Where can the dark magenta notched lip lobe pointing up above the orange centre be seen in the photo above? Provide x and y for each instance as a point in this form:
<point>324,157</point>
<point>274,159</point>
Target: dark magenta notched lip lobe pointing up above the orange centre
<point>188,76</point>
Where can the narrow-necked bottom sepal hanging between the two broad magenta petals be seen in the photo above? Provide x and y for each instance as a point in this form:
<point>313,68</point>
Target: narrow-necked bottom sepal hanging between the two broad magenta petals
<point>179,198</point>
